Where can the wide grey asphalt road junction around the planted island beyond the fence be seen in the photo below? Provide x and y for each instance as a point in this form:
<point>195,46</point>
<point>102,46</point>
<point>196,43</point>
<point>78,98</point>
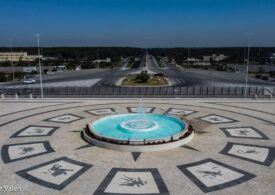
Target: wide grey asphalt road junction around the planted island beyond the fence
<point>177,76</point>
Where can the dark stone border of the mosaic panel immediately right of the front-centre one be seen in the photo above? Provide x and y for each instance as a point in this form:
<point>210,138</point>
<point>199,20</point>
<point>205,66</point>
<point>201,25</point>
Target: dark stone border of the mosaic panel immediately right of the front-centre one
<point>247,176</point>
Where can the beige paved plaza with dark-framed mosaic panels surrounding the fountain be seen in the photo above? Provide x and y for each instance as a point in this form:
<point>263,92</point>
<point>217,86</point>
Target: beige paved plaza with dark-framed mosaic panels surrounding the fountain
<point>232,152</point>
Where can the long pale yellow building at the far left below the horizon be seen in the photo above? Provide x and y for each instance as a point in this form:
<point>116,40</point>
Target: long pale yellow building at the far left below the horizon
<point>17,56</point>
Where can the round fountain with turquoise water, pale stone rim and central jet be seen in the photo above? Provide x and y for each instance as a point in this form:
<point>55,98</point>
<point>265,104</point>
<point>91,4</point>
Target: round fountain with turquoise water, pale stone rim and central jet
<point>138,132</point>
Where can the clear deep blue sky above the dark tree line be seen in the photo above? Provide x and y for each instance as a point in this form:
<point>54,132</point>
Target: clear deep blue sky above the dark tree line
<point>138,23</point>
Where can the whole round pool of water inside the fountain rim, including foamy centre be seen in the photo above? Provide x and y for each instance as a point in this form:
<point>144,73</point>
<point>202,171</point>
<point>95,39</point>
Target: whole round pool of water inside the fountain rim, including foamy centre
<point>137,127</point>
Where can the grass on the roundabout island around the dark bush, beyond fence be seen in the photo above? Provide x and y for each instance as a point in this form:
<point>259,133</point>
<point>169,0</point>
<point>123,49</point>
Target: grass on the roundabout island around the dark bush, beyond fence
<point>131,80</point>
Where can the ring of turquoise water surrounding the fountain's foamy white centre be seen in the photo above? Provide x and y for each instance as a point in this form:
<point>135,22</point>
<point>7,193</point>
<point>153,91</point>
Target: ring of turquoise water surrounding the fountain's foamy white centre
<point>110,127</point>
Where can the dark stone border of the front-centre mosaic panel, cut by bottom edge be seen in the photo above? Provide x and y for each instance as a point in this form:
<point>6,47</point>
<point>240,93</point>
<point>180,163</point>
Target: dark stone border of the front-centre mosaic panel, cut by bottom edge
<point>155,173</point>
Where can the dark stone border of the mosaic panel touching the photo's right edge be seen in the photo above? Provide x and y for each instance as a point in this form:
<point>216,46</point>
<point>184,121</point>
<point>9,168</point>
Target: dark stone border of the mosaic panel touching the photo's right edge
<point>268,161</point>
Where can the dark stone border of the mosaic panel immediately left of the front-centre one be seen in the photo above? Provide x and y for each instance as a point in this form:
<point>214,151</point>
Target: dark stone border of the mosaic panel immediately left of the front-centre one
<point>25,175</point>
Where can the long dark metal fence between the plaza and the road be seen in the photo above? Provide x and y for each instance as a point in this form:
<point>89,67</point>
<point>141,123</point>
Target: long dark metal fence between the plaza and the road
<point>139,91</point>
